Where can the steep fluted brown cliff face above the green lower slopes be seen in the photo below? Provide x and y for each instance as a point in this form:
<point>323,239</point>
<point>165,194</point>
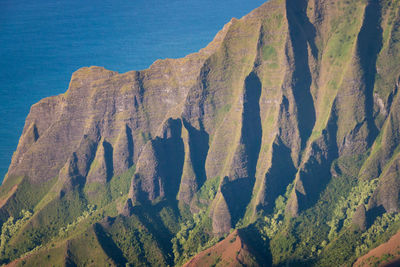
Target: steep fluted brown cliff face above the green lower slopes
<point>281,104</point>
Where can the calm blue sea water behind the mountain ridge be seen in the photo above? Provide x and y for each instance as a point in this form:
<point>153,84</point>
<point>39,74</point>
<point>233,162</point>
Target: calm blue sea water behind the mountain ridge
<point>43,42</point>
